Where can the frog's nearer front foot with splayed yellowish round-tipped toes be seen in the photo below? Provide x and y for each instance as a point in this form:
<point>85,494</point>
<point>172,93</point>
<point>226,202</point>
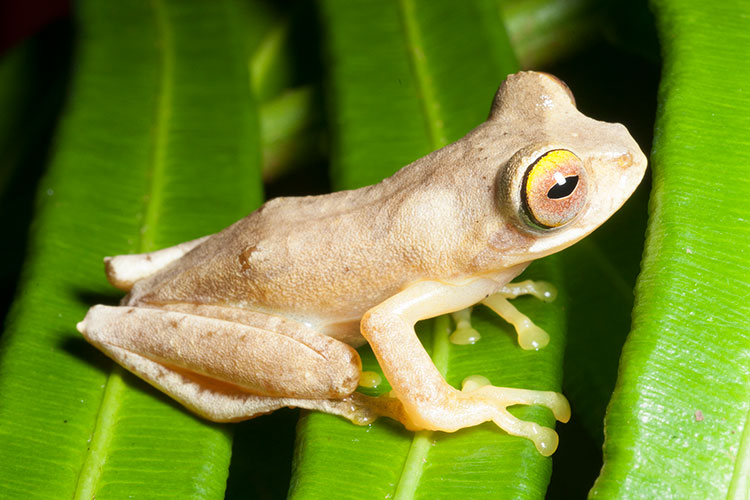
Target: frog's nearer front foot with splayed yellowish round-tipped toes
<point>474,406</point>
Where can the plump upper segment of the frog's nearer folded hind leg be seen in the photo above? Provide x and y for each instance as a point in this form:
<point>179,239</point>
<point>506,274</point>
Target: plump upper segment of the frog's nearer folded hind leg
<point>252,359</point>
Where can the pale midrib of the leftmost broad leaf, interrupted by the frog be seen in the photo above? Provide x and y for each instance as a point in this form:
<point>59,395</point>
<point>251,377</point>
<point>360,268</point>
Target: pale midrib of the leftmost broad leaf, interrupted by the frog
<point>103,431</point>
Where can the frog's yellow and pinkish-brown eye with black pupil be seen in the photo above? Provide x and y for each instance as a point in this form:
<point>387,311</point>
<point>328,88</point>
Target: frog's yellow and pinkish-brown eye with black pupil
<point>554,188</point>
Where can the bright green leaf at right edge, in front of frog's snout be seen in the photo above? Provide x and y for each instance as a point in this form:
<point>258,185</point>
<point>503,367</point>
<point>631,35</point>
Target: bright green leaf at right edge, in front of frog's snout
<point>677,425</point>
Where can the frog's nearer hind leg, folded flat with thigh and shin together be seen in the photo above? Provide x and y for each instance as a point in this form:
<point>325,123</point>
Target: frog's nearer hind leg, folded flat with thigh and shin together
<point>231,364</point>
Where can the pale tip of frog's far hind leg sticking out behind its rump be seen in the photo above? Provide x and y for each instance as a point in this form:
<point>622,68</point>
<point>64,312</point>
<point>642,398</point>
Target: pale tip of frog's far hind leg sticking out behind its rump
<point>124,270</point>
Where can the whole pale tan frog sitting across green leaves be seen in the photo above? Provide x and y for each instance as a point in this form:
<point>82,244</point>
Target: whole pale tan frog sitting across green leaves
<point>268,313</point>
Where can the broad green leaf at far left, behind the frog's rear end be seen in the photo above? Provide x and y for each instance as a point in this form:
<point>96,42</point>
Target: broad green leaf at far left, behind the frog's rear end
<point>159,144</point>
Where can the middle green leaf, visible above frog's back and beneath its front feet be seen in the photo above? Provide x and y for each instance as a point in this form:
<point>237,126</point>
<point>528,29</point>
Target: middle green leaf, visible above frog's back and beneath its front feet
<point>398,91</point>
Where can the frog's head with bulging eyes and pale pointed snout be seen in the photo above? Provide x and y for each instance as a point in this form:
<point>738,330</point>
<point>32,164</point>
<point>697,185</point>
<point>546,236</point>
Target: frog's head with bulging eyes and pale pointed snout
<point>567,174</point>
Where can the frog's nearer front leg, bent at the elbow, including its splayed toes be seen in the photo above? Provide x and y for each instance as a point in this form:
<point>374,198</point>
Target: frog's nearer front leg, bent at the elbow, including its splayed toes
<point>427,399</point>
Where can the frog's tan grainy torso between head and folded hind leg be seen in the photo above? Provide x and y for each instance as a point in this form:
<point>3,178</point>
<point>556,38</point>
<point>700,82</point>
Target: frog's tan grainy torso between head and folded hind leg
<point>336,256</point>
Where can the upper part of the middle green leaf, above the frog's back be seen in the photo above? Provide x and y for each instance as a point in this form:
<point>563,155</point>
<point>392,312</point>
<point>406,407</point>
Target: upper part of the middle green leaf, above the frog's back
<point>392,64</point>
